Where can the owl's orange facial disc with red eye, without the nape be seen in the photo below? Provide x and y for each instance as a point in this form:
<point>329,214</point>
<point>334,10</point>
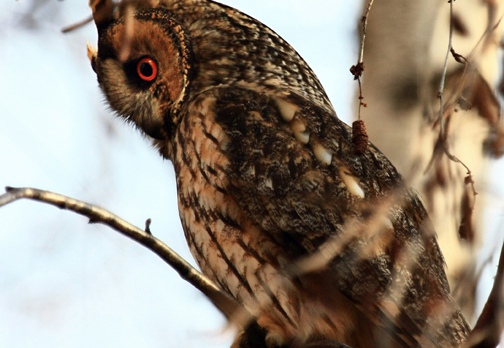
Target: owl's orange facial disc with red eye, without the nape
<point>143,65</point>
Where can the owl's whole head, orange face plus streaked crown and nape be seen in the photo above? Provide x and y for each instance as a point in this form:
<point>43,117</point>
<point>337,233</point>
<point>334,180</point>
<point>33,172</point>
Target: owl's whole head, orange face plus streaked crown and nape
<point>154,56</point>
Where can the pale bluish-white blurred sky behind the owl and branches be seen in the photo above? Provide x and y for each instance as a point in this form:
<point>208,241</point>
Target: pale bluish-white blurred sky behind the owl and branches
<point>66,283</point>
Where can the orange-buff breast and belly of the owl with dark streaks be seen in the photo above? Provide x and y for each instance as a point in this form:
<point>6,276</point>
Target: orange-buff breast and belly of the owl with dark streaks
<point>232,248</point>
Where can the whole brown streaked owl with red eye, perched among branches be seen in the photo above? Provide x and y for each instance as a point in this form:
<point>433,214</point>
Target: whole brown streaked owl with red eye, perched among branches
<point>322,244</point>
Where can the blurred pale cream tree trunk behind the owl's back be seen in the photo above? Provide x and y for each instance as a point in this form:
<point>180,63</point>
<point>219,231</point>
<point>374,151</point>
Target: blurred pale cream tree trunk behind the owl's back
<point>404,57</point>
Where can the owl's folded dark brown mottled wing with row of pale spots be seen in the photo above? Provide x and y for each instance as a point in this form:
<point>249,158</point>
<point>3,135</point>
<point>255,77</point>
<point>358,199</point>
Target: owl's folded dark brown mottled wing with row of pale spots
<point>293,170</point>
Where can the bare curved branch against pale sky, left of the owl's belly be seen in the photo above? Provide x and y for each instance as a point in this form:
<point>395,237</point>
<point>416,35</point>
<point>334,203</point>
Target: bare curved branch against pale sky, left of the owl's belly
<point>227,305</point>
